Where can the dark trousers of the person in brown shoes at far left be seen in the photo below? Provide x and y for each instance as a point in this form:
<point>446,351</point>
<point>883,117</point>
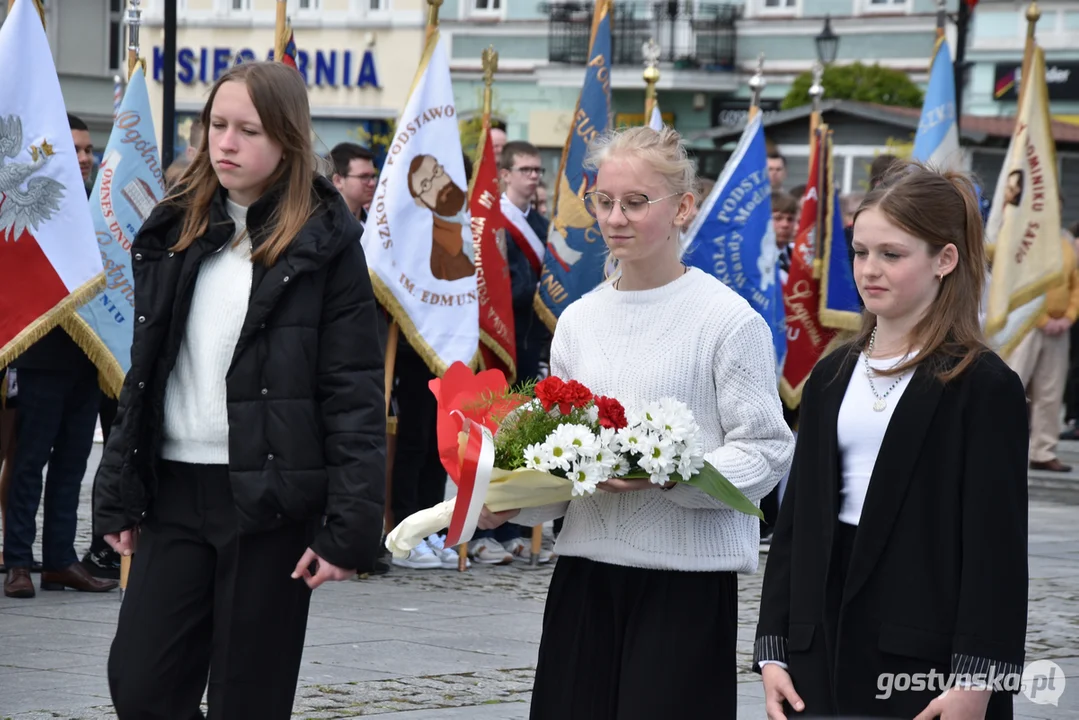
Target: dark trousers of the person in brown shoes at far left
<point>54,428</point>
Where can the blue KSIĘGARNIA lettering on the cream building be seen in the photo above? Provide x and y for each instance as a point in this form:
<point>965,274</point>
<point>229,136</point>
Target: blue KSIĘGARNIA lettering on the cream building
<point>323,69</point>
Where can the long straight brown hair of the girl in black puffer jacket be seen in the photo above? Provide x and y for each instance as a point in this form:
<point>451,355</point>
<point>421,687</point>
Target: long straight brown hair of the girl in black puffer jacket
<point>281,99</point>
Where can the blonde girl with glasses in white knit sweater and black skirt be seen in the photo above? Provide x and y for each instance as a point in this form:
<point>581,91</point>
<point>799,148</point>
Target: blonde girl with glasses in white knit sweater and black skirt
<point>641,618</point>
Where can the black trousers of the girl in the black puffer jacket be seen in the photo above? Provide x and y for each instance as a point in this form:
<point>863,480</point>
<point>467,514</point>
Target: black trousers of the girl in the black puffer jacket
<point>204,601</point>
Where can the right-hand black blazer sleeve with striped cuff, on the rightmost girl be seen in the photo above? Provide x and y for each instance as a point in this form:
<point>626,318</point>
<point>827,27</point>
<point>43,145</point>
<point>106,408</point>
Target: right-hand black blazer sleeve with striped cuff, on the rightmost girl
<point>991,622</point>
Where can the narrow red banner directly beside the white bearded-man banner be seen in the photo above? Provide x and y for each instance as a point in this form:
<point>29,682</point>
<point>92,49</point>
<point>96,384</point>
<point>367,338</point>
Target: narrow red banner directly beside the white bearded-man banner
<point>498,342</point>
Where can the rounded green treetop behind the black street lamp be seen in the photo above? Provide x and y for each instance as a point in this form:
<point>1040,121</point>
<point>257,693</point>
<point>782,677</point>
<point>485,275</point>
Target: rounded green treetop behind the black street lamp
<point>867,84</point>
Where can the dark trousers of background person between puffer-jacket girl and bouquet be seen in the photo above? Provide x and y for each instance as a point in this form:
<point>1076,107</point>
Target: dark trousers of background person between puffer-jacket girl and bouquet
<point>419,479</point>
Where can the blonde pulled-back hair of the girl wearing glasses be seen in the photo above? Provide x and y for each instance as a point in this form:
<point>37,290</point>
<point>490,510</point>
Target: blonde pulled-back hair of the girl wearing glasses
<point>661,151</point>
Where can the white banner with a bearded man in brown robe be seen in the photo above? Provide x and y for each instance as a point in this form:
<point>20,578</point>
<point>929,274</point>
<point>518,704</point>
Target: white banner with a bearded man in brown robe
<point>418,237</point>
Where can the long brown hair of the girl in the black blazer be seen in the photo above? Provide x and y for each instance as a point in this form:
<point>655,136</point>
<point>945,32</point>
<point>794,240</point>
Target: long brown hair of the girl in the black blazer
<point>939,208</point>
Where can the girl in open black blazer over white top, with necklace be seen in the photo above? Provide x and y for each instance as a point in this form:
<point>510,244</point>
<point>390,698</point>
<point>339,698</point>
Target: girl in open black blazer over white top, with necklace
<point>898,568</point>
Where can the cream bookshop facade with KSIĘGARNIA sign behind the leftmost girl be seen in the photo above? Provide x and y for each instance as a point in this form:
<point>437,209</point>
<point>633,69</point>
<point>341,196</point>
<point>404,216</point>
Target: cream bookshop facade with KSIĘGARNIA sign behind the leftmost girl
<point>359,59</point>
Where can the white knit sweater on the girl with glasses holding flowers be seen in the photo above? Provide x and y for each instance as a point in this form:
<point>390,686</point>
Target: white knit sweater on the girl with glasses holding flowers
<point>696,341</point>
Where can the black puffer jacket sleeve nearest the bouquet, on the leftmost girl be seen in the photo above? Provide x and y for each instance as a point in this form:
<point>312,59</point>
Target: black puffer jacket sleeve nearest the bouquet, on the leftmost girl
<point>352,399</point>
